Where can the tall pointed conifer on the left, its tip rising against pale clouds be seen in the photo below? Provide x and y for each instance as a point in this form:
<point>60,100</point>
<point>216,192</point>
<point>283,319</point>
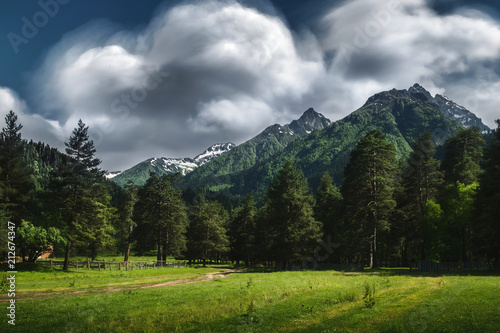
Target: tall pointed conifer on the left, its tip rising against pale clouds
<point>81,197</point>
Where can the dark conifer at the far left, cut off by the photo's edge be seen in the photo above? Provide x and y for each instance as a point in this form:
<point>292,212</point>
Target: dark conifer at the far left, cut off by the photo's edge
<point>15,176</point>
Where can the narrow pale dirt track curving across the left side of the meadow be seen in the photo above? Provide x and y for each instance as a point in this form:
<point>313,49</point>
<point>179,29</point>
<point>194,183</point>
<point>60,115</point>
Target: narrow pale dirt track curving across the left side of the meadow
<point>37,295</point>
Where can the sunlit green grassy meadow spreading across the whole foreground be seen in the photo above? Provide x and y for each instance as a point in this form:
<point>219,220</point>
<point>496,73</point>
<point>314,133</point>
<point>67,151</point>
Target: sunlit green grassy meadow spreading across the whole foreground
<point>255,301</point>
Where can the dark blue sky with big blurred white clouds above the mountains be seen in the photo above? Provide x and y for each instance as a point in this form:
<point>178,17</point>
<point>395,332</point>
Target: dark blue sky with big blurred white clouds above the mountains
<point>170,78</point>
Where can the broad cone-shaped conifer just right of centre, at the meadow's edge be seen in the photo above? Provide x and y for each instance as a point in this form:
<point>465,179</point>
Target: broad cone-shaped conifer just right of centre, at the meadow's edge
<point>291,226</point>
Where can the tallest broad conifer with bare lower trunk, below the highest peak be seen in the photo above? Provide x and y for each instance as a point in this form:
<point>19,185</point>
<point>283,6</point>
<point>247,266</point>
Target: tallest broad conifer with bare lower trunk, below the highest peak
<point>369,181</point>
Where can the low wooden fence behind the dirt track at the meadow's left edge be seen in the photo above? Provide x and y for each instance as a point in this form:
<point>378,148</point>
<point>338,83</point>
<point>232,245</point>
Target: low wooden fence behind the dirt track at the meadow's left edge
<point>113,265</point>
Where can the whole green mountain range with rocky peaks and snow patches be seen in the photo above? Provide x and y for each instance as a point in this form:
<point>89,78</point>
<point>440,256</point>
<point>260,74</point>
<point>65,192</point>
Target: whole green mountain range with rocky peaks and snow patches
<point>316,144</point>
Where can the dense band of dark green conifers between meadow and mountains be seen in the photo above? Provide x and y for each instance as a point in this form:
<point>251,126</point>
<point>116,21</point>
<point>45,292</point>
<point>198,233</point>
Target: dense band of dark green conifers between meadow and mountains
<point>389,210</point>
